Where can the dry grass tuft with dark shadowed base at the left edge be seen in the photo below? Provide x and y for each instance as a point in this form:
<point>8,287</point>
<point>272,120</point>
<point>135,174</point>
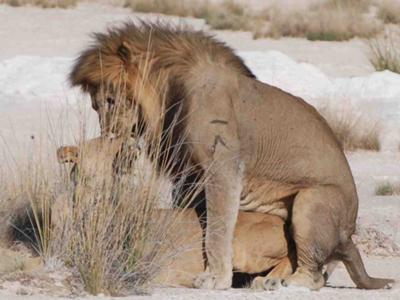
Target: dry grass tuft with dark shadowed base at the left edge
<point>27,193</point>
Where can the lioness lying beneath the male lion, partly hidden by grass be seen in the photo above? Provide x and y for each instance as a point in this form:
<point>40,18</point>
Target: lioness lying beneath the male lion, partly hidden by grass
<point>259,244</point>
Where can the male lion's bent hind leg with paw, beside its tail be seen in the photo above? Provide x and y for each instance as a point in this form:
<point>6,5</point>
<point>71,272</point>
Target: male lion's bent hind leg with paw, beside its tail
<point>317,214</point>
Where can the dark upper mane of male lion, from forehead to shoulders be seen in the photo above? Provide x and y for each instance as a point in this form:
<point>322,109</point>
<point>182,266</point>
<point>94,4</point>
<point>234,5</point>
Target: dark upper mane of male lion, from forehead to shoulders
<point>171,46</point>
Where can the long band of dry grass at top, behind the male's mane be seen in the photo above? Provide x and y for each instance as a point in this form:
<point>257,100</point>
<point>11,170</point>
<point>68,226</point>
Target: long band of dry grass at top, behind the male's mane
<point>332,20</point>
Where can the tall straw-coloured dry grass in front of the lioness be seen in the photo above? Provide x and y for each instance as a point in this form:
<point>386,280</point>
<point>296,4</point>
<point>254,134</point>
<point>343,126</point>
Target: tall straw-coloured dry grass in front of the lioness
<point>103,224</point>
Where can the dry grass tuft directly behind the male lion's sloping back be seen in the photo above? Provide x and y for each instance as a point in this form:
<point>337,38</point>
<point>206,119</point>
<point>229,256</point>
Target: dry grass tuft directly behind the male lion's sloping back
<point>351,131</point>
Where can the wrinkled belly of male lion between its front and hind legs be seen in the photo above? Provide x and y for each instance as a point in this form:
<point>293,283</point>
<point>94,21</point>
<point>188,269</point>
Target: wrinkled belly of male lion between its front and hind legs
<point>265,196</point>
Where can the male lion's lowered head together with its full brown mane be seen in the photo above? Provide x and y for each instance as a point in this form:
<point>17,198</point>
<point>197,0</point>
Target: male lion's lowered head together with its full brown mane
<point>147,64</point>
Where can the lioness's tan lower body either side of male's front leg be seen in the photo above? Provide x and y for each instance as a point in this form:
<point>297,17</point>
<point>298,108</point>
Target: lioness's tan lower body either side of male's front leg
<point>262,250</point>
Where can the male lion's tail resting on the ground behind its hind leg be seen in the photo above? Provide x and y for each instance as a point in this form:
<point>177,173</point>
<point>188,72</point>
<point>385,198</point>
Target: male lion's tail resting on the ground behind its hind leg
<point>351,258</point>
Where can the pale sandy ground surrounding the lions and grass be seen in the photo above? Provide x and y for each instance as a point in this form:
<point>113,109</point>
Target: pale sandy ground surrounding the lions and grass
<point>61,34</point>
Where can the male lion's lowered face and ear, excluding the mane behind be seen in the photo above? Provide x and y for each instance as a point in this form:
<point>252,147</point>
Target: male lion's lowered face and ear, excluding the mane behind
<point>105,72</point>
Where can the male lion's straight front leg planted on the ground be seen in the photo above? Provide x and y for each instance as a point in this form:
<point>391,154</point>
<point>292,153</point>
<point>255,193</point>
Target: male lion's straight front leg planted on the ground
<point>223,196</point>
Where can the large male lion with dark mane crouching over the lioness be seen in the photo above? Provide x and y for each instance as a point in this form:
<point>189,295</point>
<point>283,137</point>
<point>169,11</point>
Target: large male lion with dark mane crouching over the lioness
<point>259,148</point>
